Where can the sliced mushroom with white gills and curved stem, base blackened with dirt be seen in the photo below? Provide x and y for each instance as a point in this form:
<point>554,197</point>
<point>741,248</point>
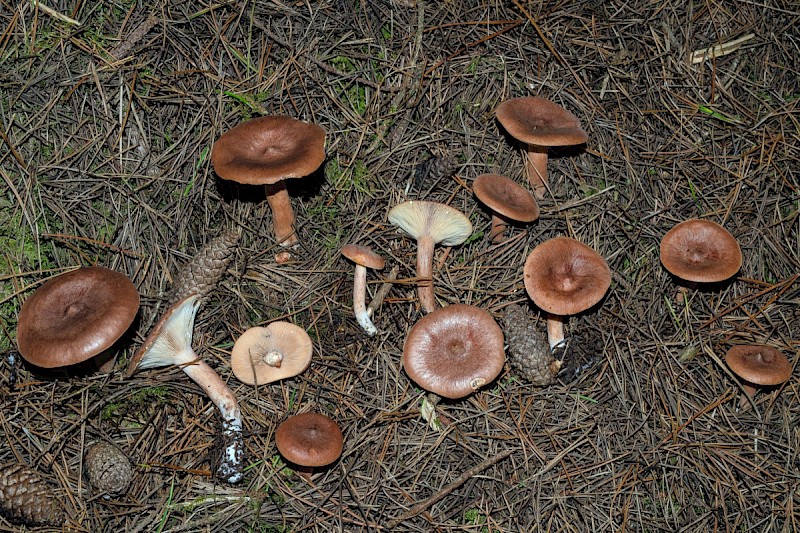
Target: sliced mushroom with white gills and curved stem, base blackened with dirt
<point>170,343</point>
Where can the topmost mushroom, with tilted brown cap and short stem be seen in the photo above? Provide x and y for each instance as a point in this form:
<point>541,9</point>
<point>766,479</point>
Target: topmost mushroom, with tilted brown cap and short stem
<point>540,124</point>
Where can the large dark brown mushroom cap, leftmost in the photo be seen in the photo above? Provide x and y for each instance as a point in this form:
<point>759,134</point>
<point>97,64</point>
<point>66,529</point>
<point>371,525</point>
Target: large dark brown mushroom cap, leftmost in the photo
<point>75,316</point>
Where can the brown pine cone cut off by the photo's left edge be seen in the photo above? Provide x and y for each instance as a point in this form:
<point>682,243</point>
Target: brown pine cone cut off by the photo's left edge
<point>25,498</point>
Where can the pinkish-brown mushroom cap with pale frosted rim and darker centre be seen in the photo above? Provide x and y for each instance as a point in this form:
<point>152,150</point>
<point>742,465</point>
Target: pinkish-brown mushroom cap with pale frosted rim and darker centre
<point>454,350</point>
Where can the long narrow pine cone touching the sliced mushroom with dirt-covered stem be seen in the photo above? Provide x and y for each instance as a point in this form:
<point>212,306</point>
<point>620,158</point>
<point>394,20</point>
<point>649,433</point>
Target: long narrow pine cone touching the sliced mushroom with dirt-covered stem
<point>202,272</point>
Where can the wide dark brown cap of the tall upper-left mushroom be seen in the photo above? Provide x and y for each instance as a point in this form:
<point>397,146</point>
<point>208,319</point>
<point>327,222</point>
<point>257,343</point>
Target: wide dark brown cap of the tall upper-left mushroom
<point>268,149</point>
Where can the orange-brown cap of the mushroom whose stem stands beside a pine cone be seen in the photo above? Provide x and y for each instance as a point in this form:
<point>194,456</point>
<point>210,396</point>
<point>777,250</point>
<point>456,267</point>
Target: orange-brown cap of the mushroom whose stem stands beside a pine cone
<point>565,277</point>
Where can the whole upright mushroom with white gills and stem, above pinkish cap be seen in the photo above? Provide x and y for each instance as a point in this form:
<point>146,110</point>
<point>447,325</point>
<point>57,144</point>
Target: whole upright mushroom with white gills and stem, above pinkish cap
<point>430,223</point>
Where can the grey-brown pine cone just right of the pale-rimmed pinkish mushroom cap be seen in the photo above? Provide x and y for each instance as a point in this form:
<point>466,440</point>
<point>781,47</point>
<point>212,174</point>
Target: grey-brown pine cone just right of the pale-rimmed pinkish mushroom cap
<point>528,350</point>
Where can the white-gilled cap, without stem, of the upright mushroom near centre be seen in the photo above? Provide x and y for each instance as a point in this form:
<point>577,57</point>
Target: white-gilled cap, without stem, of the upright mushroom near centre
<point>444,224</point>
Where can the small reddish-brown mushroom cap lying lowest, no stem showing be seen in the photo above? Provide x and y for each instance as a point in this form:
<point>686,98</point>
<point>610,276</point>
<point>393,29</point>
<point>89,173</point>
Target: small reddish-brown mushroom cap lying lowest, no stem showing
<point>309,439</point>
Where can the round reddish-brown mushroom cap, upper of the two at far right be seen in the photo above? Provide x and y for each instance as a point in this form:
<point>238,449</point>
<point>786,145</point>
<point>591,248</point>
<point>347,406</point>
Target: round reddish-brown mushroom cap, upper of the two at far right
<point>701,251</point>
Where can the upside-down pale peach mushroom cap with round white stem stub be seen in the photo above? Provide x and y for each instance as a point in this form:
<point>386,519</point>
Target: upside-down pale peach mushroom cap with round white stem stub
<point>263,355</point>
